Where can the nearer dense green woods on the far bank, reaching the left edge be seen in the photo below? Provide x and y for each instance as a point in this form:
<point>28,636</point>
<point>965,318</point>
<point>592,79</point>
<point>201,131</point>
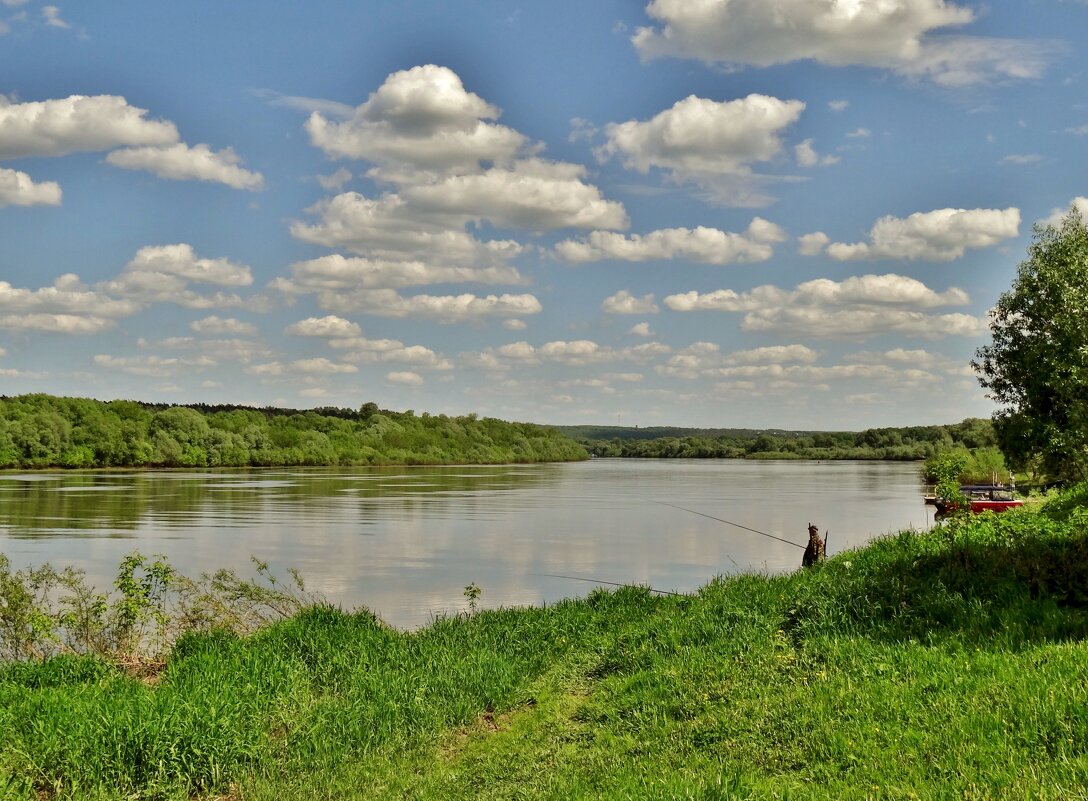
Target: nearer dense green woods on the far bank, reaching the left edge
<point>39,432</point>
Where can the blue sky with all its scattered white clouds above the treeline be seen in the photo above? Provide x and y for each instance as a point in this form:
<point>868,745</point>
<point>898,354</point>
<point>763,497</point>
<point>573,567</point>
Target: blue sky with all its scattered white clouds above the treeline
<point>789,214</point>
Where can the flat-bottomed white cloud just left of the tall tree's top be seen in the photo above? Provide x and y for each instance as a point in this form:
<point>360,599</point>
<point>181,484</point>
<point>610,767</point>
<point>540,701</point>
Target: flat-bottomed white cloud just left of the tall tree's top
<point>939,236</point>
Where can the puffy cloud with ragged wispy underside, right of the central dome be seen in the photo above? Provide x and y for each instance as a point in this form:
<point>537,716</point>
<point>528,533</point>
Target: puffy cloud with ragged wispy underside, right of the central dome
<point>710,143</point>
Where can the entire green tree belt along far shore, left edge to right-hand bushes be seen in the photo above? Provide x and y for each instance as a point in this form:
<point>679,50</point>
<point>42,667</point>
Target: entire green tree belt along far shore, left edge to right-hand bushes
<point>43,432</point>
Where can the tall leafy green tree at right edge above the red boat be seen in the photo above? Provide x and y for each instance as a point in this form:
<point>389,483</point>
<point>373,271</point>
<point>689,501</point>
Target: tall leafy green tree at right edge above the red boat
<point>1037,366</point>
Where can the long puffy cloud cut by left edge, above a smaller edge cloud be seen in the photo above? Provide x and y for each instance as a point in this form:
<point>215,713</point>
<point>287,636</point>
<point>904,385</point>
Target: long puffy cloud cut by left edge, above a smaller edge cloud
<point>78,125</point>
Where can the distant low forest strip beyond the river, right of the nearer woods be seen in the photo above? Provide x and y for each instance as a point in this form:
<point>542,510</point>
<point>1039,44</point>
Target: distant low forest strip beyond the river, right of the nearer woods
<point>909,443</point>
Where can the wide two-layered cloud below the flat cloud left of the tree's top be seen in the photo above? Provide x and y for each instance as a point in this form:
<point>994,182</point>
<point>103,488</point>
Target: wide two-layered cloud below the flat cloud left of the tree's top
<point>858,306</point>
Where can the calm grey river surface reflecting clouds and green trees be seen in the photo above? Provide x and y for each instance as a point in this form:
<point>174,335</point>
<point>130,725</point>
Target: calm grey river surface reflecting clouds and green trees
<point>405,543</point>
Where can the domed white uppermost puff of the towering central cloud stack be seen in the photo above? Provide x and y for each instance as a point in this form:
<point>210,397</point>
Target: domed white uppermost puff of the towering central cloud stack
<point>423,117</point>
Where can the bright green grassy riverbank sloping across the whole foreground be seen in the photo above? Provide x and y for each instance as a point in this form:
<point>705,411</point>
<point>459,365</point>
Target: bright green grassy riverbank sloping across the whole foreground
<point>950,664</point>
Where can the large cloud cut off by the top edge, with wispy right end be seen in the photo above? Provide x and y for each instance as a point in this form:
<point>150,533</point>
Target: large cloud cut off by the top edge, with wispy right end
<point>906,36</point>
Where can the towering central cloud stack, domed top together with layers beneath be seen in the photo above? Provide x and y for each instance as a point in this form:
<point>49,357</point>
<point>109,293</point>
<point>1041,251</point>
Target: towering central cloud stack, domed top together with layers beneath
<point>450,167</point>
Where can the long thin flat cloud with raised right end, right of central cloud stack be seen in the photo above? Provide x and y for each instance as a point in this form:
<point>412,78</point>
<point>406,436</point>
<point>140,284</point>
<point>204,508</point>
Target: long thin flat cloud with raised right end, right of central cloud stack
<point>701,244</point>
